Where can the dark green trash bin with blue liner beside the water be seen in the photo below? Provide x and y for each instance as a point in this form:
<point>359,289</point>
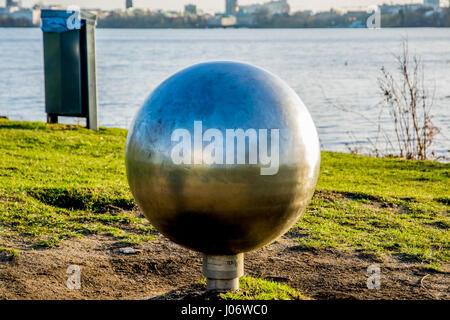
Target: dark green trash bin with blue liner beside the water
<point>69,65</point>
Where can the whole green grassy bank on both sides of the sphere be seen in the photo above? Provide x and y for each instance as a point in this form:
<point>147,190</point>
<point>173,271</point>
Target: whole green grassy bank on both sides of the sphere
<point>60,181</point>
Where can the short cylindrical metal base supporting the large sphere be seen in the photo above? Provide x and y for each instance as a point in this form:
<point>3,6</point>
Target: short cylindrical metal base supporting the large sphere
<point>223,272</point>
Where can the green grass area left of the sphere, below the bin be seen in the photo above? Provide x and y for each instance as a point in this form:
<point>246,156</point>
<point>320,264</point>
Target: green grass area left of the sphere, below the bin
<point>59,182</point>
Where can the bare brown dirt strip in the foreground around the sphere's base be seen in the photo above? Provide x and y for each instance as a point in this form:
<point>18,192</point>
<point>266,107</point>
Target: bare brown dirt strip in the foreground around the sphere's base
<point>162,270</point>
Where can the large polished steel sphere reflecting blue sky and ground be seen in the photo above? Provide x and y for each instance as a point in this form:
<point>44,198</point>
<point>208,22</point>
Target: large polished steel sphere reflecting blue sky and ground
<point>223,201</point>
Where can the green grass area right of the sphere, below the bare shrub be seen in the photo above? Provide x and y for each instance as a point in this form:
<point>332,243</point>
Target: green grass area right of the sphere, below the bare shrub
<point>380,207</point>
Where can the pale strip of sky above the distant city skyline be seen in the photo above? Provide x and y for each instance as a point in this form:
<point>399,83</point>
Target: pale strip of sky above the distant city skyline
<point>212,6</point>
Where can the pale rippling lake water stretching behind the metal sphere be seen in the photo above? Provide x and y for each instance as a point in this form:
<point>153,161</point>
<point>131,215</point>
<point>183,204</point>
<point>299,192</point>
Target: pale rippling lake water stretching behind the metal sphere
<point>330,69</point>
